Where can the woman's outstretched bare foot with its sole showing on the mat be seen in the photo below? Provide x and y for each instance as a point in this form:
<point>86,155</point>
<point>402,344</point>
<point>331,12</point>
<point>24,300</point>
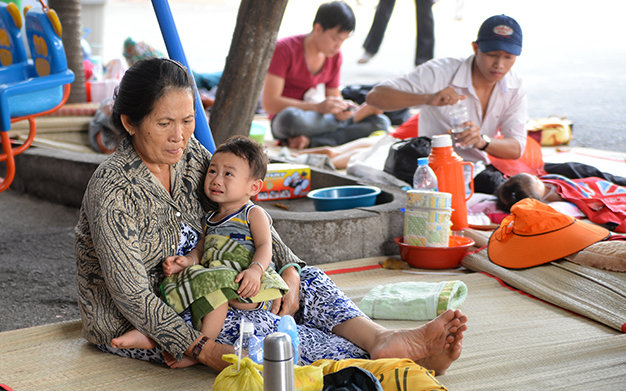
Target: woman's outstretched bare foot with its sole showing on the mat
<point>436,344</point>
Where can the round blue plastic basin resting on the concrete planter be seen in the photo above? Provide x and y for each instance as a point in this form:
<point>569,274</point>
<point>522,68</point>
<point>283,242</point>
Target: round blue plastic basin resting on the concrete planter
<point>343,197</point>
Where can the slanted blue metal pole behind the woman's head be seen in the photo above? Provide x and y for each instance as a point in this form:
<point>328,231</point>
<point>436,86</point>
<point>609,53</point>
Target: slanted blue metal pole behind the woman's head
<point>176,52</point>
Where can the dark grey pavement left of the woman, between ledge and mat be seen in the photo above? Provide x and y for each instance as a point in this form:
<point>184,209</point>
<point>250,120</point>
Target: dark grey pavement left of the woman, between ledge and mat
<point>37,272</point>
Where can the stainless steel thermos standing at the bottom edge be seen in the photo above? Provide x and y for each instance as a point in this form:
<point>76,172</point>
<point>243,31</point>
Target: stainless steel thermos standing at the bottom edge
<point>278,364</point>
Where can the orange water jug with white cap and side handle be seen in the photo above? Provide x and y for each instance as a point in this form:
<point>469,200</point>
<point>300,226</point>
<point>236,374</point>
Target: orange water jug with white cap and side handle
<point>449,169</point>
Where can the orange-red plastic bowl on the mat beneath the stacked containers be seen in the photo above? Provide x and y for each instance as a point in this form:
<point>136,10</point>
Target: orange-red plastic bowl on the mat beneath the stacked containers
<point>435,257</point>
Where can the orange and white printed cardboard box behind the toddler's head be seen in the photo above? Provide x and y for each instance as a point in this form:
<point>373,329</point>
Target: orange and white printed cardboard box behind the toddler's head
<point>284,181</point>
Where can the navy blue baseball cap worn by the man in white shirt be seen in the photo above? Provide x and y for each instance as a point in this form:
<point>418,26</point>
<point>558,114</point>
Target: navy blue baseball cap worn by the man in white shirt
<point>500,32</point>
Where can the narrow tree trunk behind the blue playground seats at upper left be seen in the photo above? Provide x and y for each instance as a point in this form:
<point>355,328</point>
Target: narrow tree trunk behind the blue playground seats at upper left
<point>69,15</point>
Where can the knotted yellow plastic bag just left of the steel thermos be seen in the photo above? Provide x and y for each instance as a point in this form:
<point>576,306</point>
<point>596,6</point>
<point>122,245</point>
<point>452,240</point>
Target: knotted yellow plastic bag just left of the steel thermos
<point>247,378</point>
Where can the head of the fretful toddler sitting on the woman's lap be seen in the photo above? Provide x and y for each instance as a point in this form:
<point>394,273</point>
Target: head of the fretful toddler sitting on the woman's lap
<point>236,171</point>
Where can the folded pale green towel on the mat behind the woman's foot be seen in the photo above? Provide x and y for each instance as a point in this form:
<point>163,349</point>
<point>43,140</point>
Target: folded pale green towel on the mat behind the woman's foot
<point>413,300</point>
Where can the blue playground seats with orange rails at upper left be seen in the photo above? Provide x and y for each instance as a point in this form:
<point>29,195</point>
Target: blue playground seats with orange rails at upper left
<point>29,87</point>
